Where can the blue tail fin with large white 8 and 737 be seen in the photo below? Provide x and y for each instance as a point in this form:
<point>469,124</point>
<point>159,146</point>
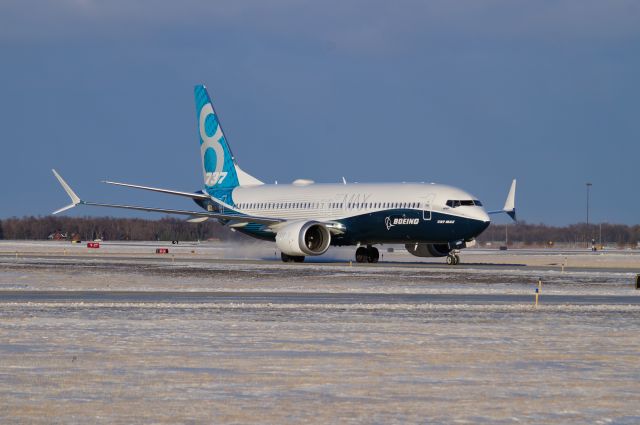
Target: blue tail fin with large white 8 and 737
<point>218,164</point>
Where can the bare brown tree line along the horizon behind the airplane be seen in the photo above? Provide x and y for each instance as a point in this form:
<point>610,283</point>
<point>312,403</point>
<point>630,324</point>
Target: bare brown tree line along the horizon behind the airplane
<point>168,229</point>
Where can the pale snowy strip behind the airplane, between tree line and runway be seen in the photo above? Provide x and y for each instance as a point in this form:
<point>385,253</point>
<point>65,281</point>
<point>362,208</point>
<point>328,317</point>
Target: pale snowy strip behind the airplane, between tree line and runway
<point>541,258</point>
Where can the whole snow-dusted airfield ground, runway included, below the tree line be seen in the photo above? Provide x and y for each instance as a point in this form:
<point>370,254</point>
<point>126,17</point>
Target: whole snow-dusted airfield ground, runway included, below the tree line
<point>265,342</point>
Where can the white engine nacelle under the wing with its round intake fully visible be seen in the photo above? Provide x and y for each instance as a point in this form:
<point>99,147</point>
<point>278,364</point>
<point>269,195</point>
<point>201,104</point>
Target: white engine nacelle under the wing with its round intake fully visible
<point>303,238</point>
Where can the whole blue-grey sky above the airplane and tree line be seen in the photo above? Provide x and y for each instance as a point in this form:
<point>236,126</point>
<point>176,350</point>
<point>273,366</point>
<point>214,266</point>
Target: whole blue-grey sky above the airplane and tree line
<point>470,93</point>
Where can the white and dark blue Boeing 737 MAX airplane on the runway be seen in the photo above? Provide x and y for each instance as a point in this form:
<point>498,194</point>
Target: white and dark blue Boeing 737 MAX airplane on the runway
<point>305,218</point>
